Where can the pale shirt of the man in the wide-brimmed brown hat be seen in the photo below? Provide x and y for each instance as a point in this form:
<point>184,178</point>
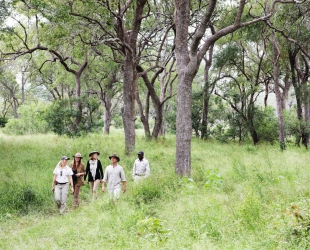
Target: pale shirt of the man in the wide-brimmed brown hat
<point>114,176</point>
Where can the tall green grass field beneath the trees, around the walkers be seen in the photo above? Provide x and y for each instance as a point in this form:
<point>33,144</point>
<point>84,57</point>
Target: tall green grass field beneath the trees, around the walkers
<point>238,197</point>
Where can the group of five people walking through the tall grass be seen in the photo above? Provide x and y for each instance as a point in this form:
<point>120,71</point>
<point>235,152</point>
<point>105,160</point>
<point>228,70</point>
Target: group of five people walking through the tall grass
<point>75,174</point>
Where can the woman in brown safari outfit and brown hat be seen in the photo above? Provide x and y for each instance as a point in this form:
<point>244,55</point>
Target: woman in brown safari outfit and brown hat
<point>78,169</point>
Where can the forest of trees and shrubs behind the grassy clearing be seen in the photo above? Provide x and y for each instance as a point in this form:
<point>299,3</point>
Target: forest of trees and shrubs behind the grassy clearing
<point>74,67</point>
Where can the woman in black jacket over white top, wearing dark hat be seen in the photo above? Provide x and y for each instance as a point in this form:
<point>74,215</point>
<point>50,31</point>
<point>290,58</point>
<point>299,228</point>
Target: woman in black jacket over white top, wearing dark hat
<point>94,172</point>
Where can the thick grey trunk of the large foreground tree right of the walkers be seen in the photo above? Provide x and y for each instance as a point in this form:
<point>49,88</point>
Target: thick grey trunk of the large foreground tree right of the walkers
<point>184,91</point>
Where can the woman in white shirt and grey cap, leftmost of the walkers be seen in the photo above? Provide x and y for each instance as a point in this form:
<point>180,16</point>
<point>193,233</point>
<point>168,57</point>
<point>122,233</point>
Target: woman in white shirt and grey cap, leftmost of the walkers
<point>60,185</point>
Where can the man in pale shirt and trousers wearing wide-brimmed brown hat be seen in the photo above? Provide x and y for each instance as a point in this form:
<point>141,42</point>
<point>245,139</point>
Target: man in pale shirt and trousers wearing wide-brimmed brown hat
<point>114,174</point>
